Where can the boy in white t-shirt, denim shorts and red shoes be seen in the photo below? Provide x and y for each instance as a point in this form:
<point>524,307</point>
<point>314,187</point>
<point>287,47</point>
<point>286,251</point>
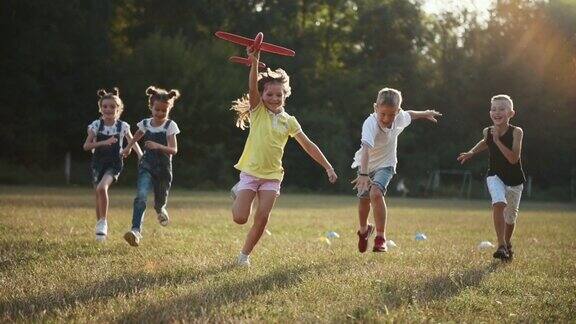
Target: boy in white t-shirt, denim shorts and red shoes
<point>376,161</point>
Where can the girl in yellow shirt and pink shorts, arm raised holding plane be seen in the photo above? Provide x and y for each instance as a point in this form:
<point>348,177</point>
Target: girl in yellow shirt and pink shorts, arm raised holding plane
<point>260,165</point>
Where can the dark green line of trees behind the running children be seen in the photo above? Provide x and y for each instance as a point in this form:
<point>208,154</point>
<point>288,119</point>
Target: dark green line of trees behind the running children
<point>57,54</point>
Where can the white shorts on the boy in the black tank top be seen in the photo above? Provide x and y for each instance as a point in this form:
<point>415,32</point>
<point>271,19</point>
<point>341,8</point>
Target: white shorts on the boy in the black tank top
<point>510,195</point>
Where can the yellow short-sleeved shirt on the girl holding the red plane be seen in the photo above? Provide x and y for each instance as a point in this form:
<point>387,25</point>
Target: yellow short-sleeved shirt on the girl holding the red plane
<point>264,148</point>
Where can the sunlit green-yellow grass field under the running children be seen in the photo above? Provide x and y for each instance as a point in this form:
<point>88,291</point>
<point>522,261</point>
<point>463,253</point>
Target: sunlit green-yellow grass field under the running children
<point>51,268</point>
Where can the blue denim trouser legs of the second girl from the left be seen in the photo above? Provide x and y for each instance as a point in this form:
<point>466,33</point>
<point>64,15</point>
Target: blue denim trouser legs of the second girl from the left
<point>161,188</point>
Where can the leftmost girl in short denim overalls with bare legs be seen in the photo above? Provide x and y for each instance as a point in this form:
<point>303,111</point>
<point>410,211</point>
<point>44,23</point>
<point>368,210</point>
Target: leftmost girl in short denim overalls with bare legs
<point>105,137</point>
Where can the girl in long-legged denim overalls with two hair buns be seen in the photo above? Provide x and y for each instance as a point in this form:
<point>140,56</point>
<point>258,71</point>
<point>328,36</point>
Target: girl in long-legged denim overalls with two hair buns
<point>155,167</point>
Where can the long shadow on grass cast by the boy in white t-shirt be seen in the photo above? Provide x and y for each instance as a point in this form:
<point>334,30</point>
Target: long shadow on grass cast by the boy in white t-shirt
<point>207,301</point>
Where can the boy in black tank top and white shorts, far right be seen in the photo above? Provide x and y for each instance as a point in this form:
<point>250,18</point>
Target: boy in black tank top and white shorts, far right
<point>505,177</point>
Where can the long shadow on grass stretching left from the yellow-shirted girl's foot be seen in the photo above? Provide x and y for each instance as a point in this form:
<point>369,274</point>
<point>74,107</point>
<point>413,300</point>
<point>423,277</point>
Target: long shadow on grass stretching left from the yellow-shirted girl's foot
<point>132,284</point>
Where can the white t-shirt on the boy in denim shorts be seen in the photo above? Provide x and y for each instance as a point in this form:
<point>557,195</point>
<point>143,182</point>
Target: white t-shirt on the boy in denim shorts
<point>382,142</point>
